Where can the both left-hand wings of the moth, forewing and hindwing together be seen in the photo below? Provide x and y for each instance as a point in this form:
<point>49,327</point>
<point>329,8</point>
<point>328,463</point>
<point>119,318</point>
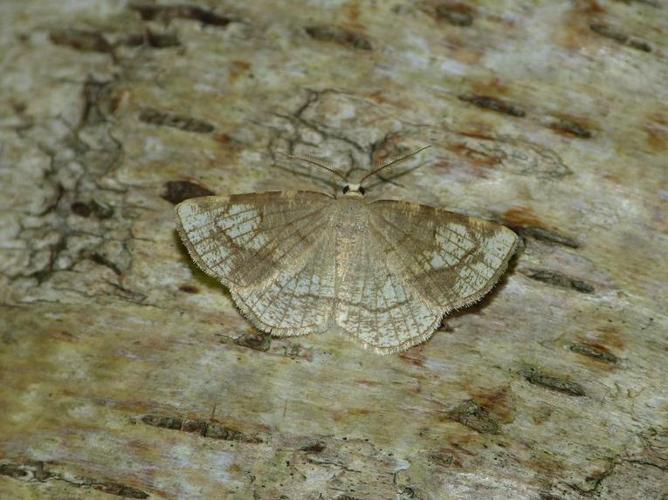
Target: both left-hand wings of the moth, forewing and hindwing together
<point>274,252</point>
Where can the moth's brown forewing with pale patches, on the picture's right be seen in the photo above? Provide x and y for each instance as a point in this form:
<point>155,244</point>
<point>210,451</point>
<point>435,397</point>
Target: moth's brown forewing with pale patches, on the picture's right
<point>451,259</point>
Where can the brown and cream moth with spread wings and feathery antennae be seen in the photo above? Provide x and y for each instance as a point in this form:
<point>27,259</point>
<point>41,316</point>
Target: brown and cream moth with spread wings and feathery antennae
<point>386,272</point>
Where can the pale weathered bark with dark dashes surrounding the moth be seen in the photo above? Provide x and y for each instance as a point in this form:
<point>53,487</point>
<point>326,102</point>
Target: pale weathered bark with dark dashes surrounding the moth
<point>125,371</point>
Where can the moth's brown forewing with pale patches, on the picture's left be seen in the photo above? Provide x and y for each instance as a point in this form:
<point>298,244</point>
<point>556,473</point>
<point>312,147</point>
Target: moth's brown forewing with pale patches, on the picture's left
<point>242,240</point>
